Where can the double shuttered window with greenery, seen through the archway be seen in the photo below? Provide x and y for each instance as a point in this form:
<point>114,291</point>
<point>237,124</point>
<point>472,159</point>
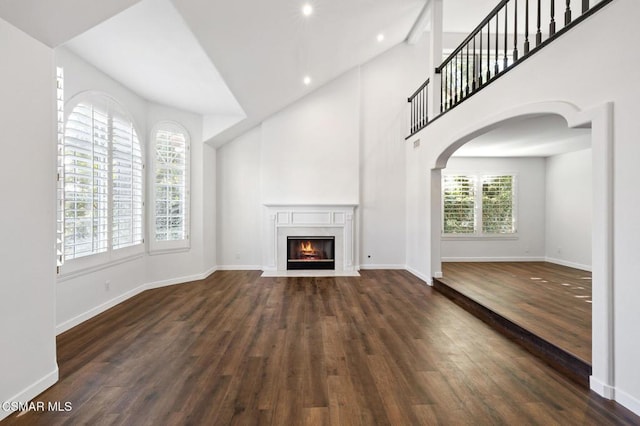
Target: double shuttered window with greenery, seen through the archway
<point>478,205</point>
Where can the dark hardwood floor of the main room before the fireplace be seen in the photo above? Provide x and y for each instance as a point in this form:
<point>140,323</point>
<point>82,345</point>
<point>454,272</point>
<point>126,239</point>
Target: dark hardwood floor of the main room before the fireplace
<point>239,349</point>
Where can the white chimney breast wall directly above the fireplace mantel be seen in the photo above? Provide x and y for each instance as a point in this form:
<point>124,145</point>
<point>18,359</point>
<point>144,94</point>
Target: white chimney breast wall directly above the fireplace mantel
<point>310,150</point>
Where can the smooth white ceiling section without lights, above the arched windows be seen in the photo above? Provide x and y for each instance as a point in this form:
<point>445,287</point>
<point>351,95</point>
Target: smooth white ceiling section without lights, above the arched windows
<point>150,49</point>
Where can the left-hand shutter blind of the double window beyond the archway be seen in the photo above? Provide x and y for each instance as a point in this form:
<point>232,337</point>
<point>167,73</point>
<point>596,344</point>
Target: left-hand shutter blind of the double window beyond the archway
<point>459,213</point>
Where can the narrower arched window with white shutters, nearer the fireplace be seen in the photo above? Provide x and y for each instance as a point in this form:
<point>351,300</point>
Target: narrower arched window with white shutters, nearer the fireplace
<point>171,186</point>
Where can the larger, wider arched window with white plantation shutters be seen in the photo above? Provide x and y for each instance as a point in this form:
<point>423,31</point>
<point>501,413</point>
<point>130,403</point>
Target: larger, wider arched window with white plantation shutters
<point>103,193</point>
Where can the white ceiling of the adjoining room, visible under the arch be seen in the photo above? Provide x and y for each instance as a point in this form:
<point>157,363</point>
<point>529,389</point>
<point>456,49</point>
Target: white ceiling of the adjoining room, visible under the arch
<point>540,136</point>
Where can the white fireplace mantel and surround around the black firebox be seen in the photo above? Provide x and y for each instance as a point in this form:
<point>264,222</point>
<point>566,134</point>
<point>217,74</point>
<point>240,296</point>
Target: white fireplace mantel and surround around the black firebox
<point>282,220</point>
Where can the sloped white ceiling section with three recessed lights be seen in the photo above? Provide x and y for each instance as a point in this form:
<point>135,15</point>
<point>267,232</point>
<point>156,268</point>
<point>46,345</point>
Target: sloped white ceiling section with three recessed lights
<point>263,49</point>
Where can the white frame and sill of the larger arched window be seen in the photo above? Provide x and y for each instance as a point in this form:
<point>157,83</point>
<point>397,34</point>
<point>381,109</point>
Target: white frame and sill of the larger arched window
<point>116,244</point>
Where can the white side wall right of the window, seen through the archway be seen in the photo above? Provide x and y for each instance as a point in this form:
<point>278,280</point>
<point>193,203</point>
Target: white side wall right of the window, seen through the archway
<point>568,209</point>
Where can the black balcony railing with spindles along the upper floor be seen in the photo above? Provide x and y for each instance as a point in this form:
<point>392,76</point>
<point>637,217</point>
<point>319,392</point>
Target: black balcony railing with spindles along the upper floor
<point>495,46</point>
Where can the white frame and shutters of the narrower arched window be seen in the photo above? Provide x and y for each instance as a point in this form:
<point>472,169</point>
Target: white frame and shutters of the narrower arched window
<point>159,242</point>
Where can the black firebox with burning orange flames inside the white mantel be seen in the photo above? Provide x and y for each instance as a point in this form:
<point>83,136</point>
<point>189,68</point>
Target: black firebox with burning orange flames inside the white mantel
<point>311,253</point>
